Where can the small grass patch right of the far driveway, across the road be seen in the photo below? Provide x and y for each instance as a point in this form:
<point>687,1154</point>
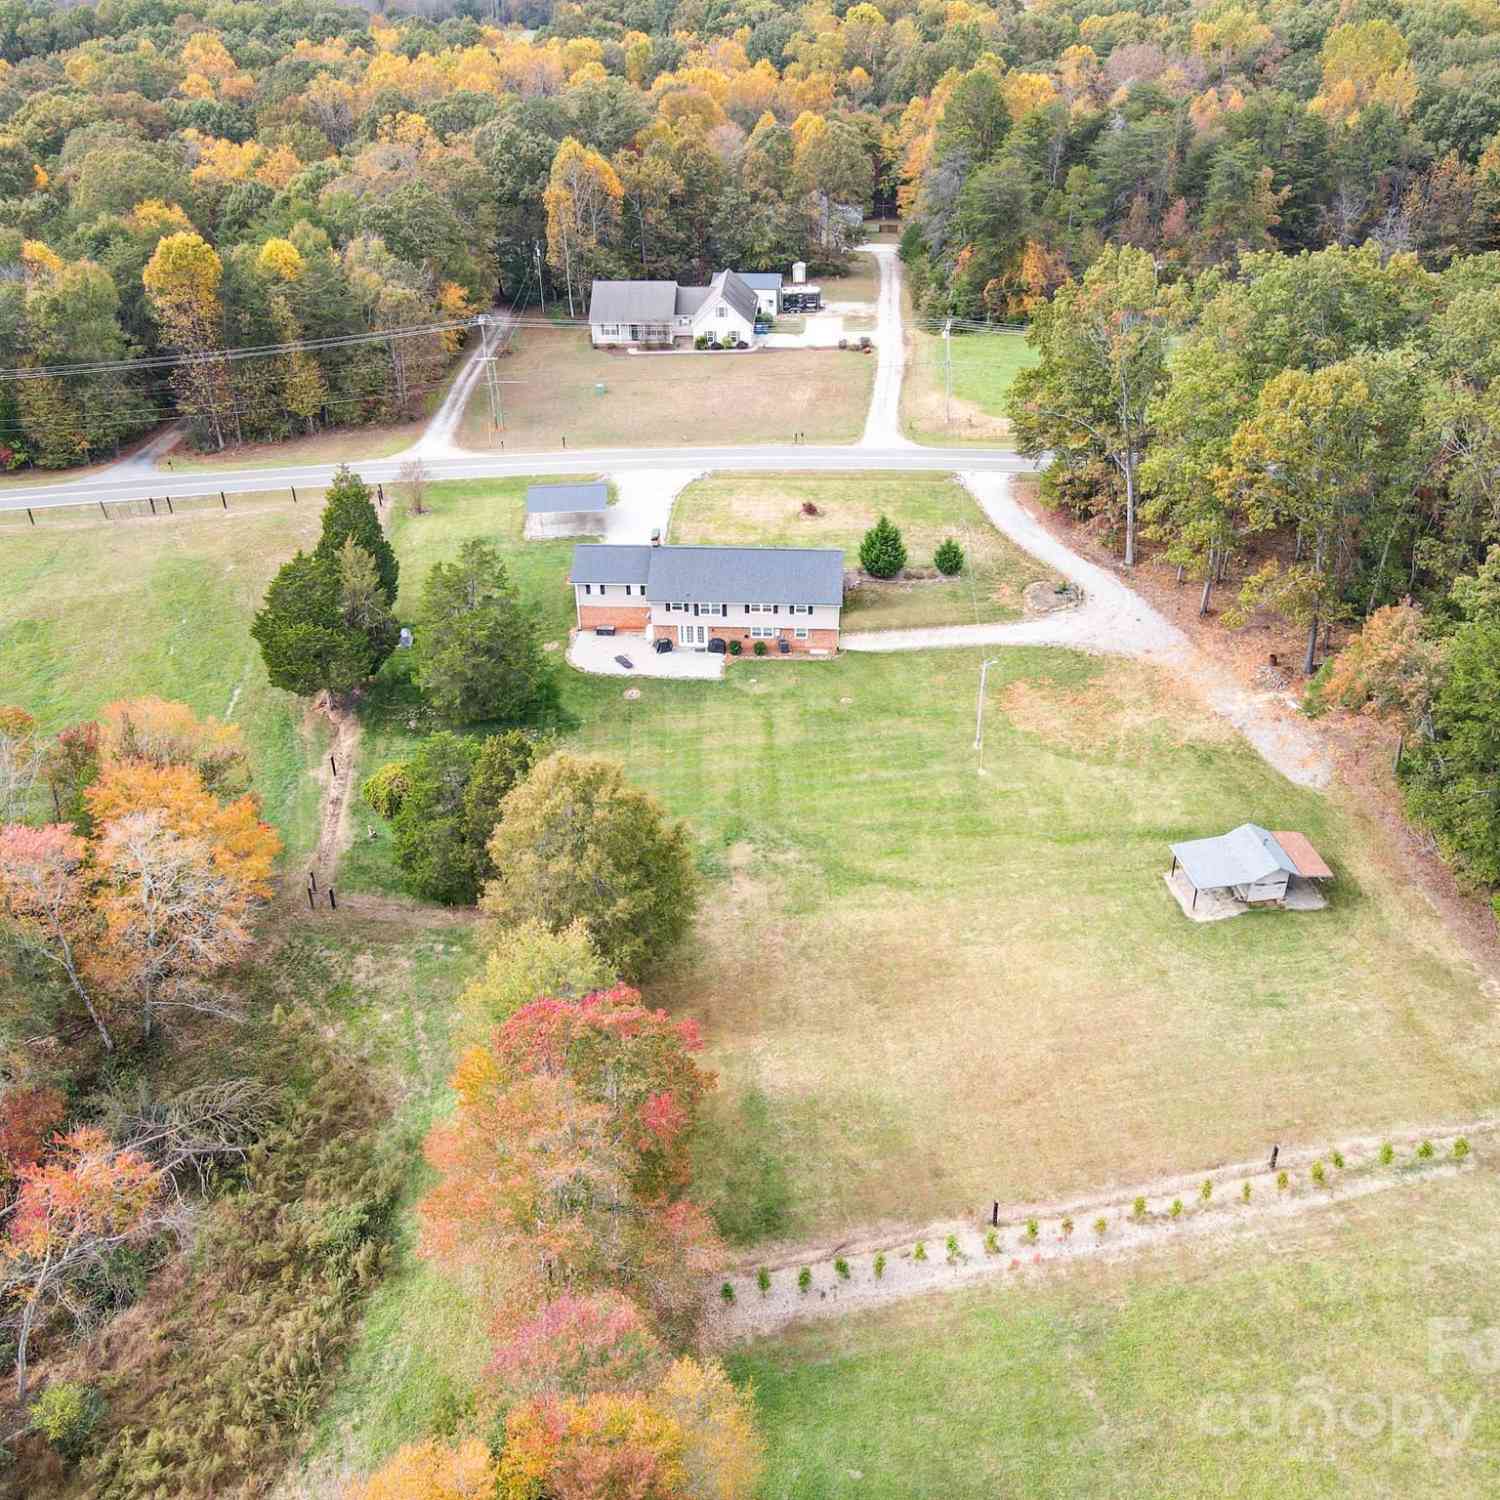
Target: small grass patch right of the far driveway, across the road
<point>983,371</point>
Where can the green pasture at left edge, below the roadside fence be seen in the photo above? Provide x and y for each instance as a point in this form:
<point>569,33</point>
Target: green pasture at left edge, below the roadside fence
<point>100,611</point>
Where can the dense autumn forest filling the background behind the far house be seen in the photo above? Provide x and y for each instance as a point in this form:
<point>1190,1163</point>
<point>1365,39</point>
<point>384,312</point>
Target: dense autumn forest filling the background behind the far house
<point>187,179</point>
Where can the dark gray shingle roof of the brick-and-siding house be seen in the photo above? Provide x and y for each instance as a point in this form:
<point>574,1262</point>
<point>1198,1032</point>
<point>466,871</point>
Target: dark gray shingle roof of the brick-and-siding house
<point>718,575</point>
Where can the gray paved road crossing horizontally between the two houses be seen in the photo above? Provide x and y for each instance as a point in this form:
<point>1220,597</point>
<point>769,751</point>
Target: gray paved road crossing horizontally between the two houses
<point>487,466</point>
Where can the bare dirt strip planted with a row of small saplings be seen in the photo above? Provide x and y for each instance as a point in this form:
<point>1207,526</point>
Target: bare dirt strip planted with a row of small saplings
<point>1067,1232</point>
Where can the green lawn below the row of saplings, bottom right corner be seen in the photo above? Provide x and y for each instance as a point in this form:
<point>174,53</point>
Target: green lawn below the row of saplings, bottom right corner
<point>1280,1367</point>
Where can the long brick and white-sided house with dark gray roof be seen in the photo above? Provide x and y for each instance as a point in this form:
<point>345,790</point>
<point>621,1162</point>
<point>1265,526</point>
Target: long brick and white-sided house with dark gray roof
<point>788,598</point>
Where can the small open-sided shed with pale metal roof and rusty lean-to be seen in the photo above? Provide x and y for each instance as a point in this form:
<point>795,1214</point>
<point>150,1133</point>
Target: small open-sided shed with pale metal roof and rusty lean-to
<point>1250,866</point>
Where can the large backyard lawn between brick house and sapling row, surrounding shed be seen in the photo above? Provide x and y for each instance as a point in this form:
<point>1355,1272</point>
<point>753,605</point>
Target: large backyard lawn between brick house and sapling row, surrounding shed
<point>925,988</point>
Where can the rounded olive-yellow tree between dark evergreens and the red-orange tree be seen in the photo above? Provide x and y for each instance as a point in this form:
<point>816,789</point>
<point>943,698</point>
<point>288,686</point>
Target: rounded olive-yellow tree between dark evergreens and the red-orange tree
<point>577,841</point>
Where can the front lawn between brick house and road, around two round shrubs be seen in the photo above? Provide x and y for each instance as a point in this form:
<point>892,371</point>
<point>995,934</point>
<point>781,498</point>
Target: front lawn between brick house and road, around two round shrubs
<point>767,511</point>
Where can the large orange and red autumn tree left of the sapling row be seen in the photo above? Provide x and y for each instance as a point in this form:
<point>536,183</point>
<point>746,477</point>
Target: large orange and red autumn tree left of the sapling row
<point>568,1157</point>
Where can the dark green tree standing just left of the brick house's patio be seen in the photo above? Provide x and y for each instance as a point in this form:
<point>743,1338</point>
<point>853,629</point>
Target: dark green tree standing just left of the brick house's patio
<point>478,658</point>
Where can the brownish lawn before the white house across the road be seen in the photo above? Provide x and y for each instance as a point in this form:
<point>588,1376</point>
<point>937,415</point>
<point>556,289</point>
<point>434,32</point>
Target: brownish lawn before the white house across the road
<point>667,401</point>
